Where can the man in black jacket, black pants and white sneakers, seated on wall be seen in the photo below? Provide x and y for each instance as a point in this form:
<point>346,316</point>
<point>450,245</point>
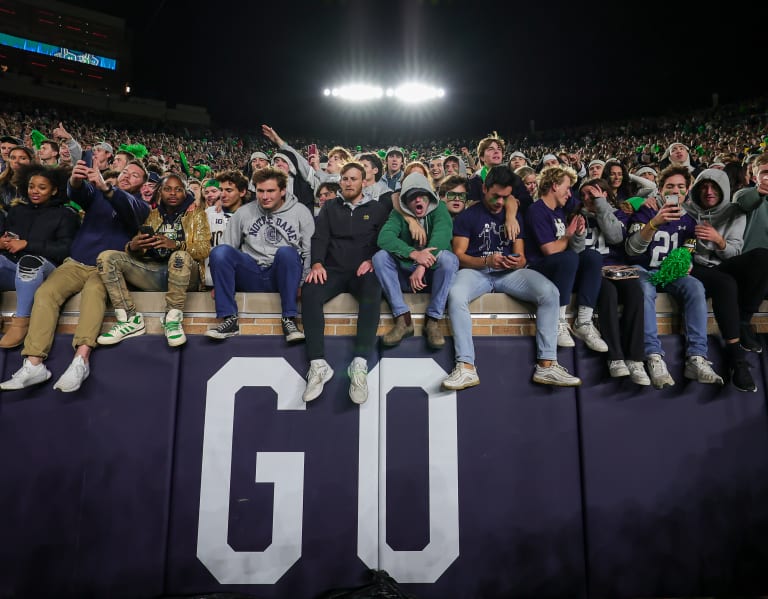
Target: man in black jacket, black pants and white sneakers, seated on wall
<point>343,245</point>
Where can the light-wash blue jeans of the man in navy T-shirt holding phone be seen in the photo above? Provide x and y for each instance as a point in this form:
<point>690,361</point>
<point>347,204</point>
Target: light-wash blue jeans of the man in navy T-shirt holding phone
<point>525,284</point>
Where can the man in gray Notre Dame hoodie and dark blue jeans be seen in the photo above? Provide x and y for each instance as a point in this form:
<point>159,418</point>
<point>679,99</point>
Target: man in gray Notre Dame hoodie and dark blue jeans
<point>265,247</point>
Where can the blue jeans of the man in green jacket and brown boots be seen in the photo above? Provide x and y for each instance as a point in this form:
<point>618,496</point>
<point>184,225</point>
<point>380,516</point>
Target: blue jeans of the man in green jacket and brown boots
<point>394,280</point>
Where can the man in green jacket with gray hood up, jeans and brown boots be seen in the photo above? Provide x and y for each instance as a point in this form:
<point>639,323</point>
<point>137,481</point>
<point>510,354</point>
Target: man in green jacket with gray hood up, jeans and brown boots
<point>404,265</point>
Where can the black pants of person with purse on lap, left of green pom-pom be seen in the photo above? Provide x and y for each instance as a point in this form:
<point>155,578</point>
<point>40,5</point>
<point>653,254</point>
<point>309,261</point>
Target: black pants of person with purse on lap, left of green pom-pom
<point>624,336</point>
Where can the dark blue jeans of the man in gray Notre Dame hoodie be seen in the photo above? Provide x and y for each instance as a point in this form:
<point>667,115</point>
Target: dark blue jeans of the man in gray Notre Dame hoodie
<point>233,270</point>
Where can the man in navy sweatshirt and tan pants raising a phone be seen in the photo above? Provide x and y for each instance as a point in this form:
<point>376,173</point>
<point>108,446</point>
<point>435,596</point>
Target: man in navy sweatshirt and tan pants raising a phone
<point>112,217</point>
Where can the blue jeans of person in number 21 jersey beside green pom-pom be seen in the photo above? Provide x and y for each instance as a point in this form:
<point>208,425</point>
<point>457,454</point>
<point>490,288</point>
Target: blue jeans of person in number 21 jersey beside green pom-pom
<point>689,293</point>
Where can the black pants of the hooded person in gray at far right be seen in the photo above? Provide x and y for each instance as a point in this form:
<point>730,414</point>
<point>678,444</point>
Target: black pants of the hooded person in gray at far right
<point>737,286</point>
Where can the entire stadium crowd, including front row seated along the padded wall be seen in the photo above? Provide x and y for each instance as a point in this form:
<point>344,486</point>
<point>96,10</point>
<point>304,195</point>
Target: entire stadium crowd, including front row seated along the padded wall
<point>610,214</point>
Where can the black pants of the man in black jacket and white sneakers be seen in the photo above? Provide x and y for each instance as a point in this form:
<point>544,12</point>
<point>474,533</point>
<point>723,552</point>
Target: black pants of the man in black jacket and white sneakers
<point>366,290</point>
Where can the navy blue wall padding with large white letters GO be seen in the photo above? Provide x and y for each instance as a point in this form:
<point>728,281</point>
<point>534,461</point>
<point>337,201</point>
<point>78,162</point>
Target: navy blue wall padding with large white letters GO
<point>161,476</point>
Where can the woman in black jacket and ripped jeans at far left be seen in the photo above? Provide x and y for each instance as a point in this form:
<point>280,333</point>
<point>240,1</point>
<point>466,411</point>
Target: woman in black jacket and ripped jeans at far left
<point>38,234</point>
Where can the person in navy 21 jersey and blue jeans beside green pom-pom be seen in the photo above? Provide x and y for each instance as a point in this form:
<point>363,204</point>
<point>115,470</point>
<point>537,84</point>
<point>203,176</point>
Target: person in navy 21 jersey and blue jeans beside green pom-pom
<point>653,234</point>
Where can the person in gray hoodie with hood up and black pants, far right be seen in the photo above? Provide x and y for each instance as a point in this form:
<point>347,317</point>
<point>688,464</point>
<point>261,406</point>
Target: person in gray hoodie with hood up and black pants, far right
<point>736,281</point>
